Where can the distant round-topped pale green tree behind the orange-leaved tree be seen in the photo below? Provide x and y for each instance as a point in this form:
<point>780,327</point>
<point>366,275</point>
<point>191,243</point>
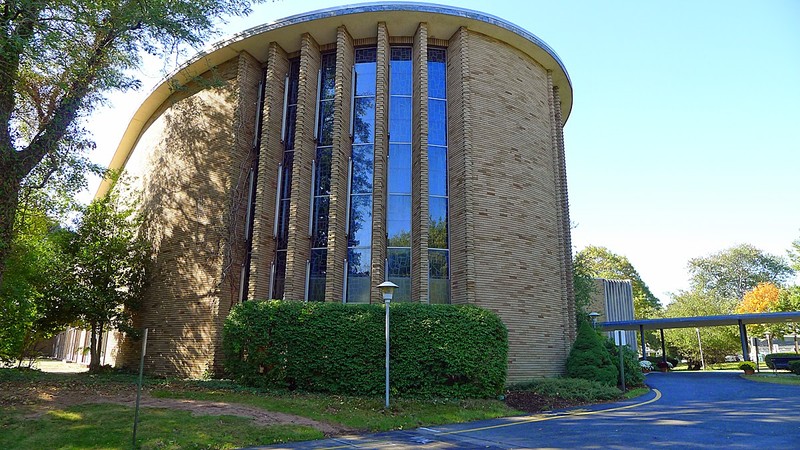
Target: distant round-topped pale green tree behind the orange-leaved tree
<point>734,271</point>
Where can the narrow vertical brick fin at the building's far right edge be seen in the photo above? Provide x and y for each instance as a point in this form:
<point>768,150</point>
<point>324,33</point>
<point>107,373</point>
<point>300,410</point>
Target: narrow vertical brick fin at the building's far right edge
<point>566,232</point>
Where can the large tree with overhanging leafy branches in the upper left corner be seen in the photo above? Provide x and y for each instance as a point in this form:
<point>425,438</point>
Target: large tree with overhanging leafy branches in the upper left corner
<point>58,57</point>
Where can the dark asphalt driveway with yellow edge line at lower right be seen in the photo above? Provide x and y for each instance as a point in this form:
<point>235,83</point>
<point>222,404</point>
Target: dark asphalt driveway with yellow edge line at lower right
<point>684,410</point>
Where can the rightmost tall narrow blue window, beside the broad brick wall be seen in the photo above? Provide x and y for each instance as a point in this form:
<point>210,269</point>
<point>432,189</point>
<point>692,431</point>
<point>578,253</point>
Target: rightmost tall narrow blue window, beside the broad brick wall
<point>438,248</point>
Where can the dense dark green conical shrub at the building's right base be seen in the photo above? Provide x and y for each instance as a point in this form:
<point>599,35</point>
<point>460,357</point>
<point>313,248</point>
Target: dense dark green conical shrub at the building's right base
<point>589,358</point>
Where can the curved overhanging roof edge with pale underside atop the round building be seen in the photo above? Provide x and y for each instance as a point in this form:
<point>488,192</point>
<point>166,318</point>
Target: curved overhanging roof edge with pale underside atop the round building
<point>402,19</point>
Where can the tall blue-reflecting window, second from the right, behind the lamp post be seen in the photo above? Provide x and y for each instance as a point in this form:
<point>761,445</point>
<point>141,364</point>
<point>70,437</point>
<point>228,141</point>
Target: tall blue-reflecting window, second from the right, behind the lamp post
<point>398,218</point>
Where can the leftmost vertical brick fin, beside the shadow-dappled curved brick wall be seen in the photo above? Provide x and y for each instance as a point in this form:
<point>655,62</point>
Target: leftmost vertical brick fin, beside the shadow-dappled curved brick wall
<point>242,157</point>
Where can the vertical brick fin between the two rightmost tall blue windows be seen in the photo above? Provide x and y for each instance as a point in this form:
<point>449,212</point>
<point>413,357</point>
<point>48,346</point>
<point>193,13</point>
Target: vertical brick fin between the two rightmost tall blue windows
<point>419,181</point>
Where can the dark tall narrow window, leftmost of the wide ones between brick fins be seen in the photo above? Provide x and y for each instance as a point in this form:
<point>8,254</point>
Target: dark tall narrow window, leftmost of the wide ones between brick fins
<point>285,180</point>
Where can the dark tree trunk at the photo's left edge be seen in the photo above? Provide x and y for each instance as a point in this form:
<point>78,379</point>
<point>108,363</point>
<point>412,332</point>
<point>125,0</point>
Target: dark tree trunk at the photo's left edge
<point>9,197</point>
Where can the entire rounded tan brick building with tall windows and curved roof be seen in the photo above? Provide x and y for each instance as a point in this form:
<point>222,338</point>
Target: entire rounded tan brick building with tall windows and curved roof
<point>313,158</point>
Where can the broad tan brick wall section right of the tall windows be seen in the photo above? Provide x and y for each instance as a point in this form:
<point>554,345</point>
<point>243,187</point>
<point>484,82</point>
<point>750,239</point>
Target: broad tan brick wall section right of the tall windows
<point>516,229</point>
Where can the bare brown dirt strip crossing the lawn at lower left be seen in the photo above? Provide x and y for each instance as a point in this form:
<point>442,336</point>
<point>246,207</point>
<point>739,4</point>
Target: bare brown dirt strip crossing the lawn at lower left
<point>42,397</point>
